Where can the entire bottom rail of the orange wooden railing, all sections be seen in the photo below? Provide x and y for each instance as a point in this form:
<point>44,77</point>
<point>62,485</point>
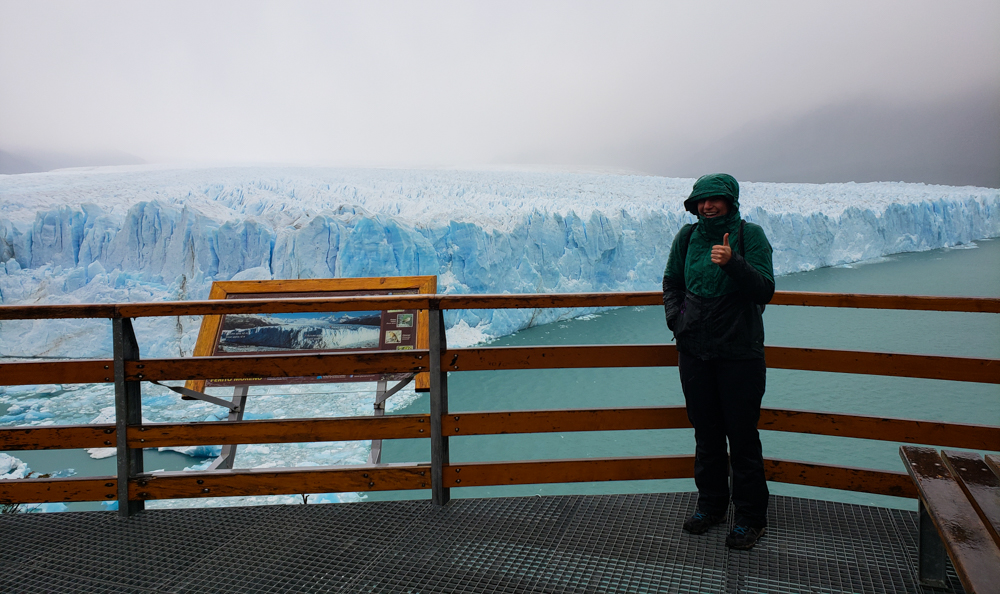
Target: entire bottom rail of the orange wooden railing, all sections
<point>171,485</point>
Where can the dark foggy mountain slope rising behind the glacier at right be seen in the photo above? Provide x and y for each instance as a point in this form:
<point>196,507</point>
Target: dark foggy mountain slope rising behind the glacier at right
<point>954,142</point>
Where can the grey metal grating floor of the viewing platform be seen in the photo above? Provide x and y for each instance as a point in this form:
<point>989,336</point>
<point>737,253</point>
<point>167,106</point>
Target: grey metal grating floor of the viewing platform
<point>594,543</point>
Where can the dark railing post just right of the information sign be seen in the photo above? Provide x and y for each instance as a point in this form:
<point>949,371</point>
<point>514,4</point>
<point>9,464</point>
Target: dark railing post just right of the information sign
<point>440,493</point>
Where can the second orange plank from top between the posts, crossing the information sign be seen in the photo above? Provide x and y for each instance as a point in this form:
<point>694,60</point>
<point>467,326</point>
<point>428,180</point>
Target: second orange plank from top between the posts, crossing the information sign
<point>261,366</point>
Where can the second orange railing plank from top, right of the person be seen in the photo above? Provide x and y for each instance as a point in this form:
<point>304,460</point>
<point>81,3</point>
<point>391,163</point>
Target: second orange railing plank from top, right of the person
<point>965,369</point>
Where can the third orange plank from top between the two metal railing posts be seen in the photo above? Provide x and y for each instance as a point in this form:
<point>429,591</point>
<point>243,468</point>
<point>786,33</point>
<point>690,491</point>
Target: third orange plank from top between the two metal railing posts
<point>279,431</point>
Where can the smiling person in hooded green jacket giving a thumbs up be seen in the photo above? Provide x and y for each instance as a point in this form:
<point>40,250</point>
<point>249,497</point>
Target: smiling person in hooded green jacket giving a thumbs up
<point>718,278</point>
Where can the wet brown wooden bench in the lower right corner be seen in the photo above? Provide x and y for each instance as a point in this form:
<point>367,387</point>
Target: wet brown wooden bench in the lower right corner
<point>959,513</point>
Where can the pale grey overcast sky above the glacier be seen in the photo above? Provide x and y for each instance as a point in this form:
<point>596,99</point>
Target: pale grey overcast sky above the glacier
<point>658,87</point>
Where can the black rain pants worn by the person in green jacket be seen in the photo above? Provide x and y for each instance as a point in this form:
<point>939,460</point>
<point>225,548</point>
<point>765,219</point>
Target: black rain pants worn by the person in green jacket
<point>723,399</point>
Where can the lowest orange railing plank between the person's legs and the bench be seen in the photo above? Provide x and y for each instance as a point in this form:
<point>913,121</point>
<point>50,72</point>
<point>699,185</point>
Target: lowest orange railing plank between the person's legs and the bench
<point>845,478</point>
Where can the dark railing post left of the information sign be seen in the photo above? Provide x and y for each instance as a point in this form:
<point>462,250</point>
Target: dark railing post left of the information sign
<point>128,412</point>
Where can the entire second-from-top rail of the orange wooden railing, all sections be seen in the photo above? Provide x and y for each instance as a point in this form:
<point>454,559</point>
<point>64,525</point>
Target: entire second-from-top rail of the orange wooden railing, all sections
<point>492,358</point>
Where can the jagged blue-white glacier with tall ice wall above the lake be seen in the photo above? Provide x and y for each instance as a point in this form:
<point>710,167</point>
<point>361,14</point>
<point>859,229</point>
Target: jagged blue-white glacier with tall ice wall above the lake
<point>147,233</point>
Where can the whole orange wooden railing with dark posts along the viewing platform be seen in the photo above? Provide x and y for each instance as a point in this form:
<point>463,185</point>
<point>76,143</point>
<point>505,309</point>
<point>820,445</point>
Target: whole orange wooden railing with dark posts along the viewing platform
<point>134,486</point>
